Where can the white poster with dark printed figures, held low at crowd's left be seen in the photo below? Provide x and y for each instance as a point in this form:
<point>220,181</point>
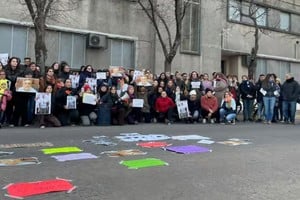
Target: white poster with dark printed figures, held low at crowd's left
<point>43,103</point>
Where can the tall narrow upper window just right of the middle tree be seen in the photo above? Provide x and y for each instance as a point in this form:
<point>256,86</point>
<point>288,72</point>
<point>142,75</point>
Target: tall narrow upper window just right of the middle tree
<point>190,41</point>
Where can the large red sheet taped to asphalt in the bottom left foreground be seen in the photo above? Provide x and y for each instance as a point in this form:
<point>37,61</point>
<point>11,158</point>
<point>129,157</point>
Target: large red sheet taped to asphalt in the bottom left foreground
<point>26,189</point>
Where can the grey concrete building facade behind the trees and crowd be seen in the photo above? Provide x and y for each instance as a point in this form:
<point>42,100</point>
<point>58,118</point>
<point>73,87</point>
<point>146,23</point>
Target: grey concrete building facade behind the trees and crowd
<point>215,36</point>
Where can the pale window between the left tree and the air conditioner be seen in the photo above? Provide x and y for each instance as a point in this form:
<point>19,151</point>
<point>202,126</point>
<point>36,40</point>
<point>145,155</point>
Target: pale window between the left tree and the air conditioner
<point>72,49</point>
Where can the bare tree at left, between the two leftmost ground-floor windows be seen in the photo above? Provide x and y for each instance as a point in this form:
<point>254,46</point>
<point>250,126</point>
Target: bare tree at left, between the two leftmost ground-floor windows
<point>40,11</point>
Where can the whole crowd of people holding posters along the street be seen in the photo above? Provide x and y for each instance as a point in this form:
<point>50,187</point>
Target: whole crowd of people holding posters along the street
<point>113,100</point>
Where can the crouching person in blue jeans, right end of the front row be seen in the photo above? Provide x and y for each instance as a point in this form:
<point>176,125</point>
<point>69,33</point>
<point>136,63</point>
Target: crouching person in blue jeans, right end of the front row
<point>228,109</point>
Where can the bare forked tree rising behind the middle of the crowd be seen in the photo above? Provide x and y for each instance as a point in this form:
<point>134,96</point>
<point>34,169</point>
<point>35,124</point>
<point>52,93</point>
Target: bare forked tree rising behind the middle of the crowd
<point>165,17</point>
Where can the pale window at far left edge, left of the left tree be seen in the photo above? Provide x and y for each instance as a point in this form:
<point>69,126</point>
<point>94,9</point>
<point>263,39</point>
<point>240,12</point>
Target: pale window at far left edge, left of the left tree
<point>13,40</point>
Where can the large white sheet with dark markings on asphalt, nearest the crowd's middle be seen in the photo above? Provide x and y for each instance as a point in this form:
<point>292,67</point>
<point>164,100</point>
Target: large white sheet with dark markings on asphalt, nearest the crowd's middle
<point>135,137</point>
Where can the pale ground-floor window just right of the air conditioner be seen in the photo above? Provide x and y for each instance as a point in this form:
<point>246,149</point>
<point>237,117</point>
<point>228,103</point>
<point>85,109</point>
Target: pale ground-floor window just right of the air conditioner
<point>122,53</point>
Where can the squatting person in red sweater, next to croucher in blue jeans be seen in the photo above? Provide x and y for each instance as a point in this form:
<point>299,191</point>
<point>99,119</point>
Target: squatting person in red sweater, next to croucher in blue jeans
<point>209,106</point>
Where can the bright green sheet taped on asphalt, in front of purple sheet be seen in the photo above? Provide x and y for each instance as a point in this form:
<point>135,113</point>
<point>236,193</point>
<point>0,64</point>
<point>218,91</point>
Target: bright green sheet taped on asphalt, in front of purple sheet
<point>142,163</point>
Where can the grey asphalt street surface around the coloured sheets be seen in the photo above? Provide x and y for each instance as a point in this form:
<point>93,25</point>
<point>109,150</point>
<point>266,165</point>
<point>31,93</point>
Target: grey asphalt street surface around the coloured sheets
<point>267,169</point>
